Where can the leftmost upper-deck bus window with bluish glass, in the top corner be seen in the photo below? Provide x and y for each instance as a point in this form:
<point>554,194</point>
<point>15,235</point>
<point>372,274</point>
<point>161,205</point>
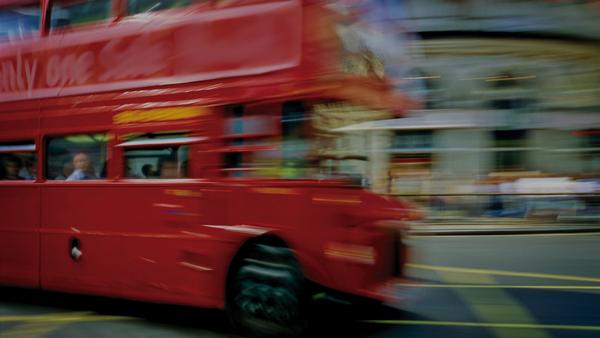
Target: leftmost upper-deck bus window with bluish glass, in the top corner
<point>17,23</point>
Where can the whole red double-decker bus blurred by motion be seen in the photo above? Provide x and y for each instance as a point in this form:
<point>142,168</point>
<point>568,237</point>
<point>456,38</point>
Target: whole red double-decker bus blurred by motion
<point>175,151</point>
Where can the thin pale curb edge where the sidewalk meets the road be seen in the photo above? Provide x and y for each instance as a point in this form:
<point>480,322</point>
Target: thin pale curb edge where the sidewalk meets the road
<point>502,231</point>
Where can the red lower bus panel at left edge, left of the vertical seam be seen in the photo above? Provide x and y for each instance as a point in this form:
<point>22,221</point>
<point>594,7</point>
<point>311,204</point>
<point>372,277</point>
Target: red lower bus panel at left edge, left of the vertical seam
<point>19,234</point>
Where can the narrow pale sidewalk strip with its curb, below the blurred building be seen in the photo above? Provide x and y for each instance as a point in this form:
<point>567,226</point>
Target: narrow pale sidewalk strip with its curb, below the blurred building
<point>498,228</point>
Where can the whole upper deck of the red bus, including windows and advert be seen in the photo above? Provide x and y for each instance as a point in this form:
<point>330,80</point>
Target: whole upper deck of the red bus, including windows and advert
<point>60,49</point>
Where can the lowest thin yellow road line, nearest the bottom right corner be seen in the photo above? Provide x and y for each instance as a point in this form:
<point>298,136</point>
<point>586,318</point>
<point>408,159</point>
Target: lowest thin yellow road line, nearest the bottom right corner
<point>487,325</point>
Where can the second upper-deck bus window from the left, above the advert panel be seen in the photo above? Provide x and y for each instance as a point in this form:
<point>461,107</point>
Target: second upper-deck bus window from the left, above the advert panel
<point>67,13</point>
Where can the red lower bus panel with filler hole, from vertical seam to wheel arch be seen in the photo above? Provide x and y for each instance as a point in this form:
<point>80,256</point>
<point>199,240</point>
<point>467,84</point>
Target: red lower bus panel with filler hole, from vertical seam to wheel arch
<point>139,241</point>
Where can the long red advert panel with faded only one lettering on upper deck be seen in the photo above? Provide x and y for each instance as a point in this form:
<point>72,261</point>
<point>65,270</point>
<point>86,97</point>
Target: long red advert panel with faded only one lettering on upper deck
<point>161,49</point>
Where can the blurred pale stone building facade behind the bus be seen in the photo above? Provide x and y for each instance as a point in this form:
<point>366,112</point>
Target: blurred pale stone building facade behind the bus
<point>509,90</point>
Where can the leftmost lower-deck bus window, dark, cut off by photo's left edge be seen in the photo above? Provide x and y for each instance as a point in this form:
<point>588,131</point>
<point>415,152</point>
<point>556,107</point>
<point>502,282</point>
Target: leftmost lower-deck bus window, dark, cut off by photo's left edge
<point>18,161</point>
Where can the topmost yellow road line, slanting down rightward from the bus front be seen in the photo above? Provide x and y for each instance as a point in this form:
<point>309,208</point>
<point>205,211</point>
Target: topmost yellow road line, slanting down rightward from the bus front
<point>503,273</point>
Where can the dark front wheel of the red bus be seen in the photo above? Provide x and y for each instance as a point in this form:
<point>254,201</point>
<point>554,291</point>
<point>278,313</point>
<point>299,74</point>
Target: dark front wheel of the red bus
<point>267,295</point>
